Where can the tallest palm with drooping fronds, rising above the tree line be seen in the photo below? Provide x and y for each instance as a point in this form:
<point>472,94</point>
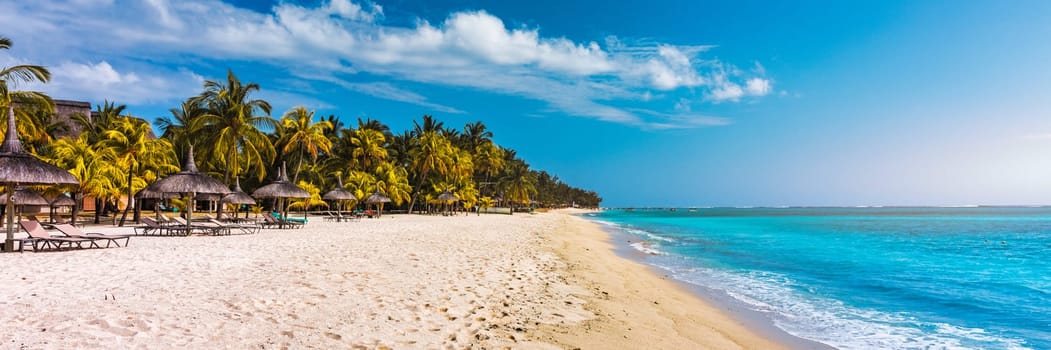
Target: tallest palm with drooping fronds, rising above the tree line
<point>232,127</point>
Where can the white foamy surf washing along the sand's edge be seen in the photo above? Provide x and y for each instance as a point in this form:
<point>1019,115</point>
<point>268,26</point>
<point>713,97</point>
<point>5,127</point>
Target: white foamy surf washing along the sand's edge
<point>829,321</point>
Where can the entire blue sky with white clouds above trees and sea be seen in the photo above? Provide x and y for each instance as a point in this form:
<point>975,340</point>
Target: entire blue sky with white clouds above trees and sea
<point>684,104</point>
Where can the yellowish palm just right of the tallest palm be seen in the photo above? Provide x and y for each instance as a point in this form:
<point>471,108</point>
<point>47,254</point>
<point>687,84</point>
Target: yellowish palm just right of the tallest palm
<point>303,136</point>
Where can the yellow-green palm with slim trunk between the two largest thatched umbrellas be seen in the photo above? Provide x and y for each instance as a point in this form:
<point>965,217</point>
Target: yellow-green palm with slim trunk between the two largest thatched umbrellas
<point>138,154</point>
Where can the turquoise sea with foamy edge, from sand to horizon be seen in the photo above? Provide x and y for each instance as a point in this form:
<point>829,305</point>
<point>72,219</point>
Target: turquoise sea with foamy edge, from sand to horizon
<point>867,278</point>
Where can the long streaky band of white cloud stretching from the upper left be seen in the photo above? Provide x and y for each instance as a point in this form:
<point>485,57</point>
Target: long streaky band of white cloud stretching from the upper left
<point>473,50</point>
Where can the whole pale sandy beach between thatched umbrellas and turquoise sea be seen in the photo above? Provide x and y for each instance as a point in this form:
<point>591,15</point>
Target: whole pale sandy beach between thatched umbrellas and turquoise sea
<point>543,281</point>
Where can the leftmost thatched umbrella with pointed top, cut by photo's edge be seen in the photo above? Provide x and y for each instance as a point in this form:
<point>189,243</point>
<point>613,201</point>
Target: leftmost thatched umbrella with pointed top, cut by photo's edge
<point>17,168</point>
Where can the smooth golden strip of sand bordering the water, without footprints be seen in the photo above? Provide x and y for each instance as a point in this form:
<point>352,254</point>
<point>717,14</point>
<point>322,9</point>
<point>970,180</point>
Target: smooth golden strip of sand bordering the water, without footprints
<point>634,306</point>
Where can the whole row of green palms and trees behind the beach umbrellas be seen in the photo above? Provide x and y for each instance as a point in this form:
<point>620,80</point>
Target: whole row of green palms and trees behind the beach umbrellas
<point>235,137</point>
